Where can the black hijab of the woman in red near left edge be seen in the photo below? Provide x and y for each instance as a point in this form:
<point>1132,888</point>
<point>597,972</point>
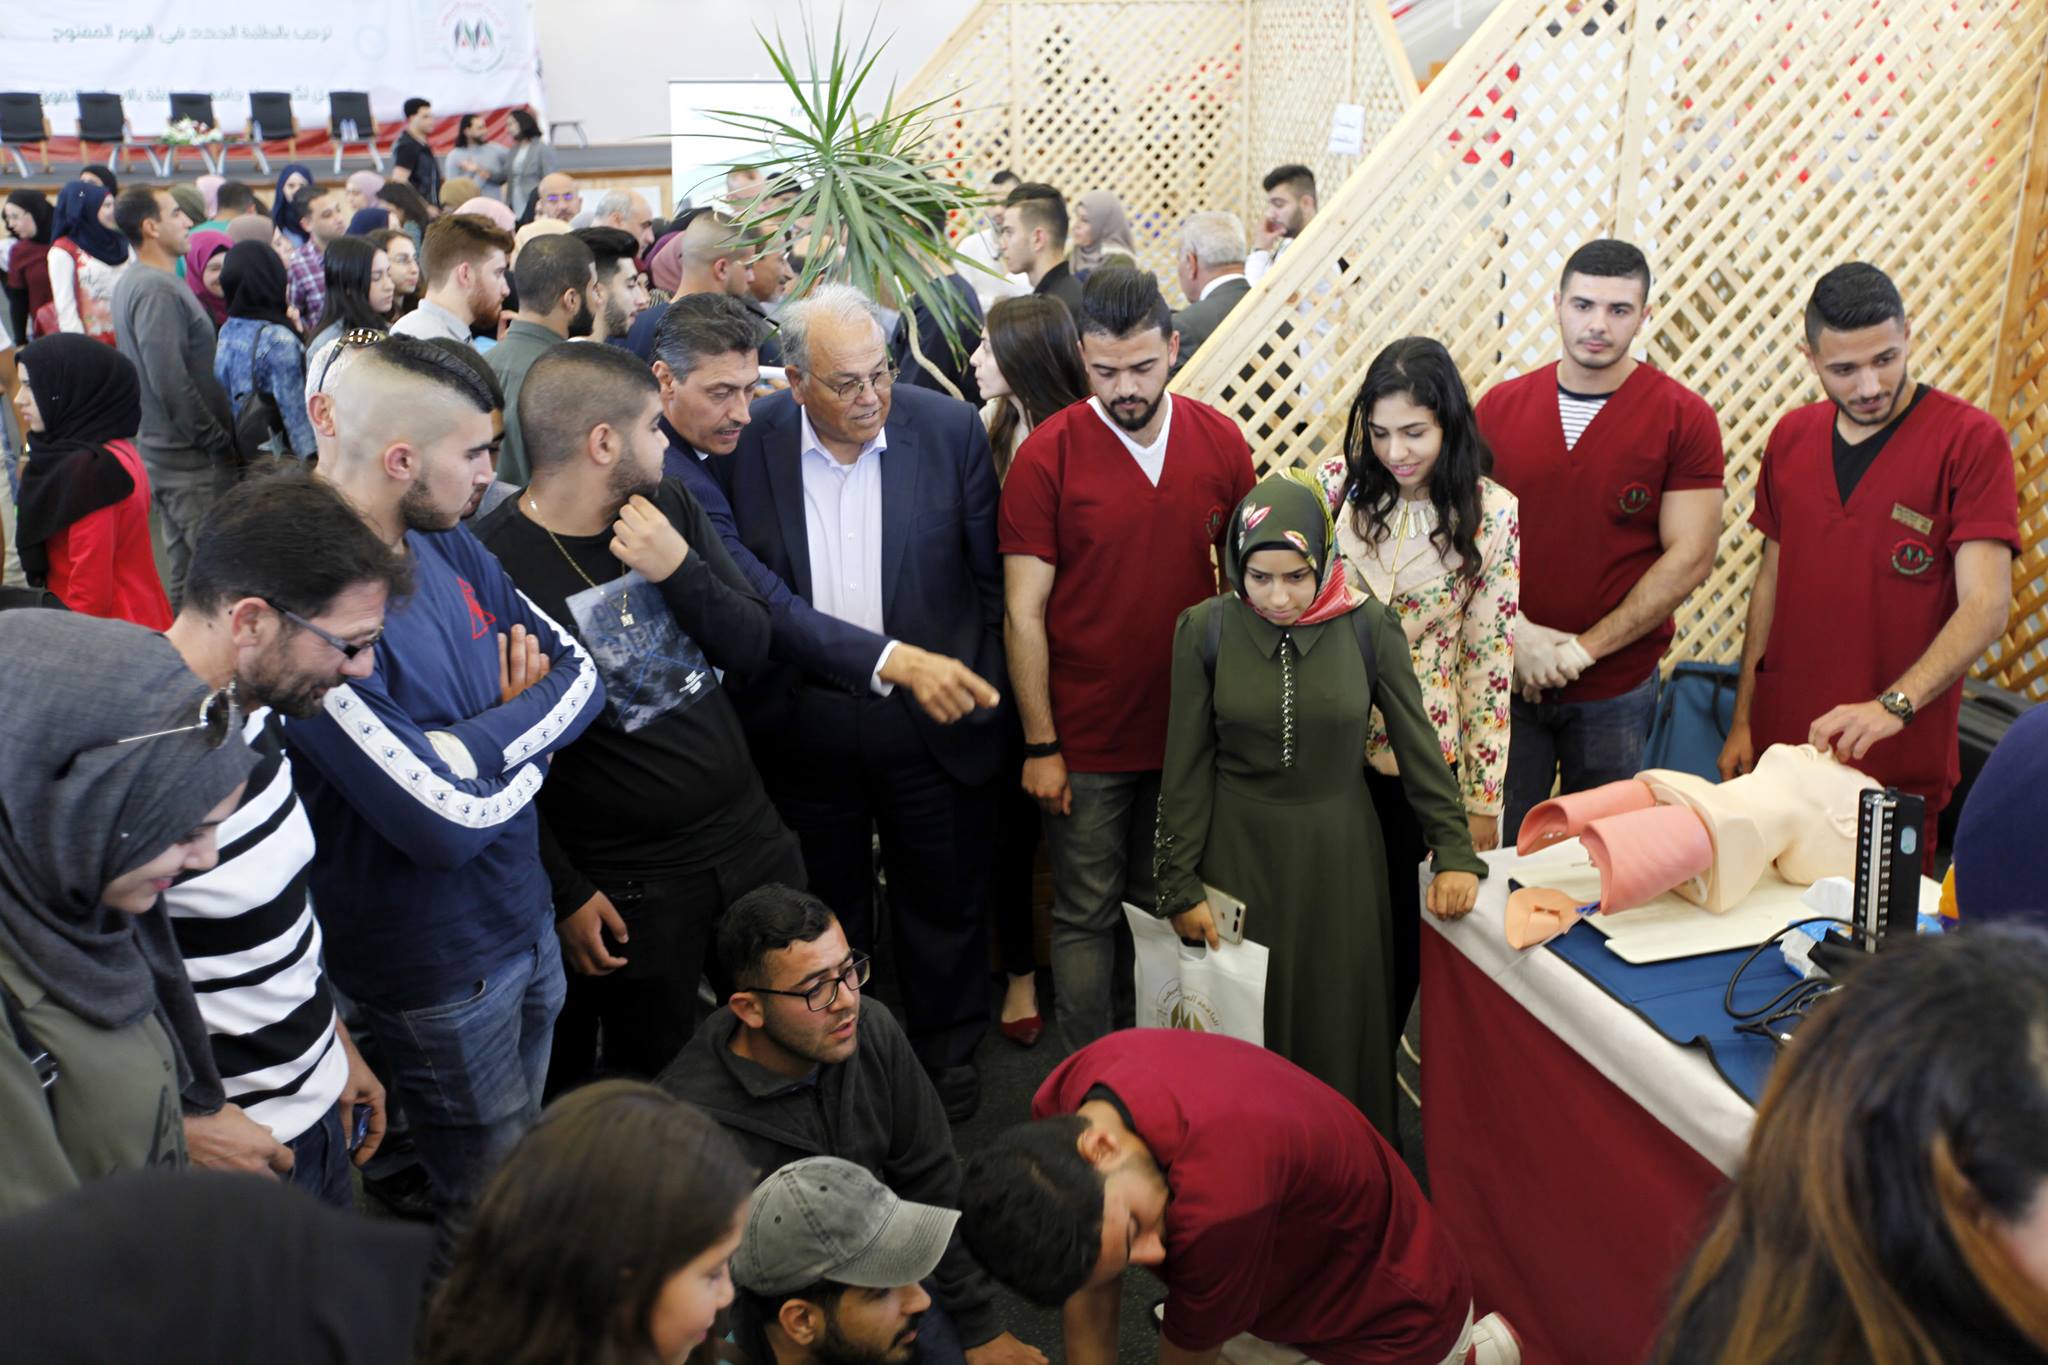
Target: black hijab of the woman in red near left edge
<point>87,396</point>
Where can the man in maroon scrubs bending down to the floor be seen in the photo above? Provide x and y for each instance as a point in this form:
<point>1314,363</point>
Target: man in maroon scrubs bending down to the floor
<point>1271,1208</point>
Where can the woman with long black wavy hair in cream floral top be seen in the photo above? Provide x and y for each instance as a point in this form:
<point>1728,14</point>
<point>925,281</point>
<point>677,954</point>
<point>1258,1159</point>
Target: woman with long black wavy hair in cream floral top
<point>1422,529</point>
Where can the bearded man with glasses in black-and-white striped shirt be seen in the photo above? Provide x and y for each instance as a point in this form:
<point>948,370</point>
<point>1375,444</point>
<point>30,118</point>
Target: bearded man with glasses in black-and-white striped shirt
<point>286,601</point>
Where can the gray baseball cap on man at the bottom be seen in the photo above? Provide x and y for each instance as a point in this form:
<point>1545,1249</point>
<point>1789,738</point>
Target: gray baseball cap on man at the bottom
<point>828,1221</point>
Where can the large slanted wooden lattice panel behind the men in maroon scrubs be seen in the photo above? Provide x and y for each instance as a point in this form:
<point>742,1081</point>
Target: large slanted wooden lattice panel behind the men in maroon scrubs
<point>1744,146</point>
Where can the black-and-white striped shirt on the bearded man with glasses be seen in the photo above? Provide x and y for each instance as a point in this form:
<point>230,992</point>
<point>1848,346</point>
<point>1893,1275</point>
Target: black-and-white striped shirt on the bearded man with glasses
<point>253,951</point>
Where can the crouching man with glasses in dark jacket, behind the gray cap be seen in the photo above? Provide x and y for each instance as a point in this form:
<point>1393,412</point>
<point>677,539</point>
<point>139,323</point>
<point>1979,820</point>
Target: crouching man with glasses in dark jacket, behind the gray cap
<point>800,1063</point>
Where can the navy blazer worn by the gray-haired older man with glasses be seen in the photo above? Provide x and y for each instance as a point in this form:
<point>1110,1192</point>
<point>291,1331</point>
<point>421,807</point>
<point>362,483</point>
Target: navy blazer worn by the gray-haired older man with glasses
<point>943,584</point>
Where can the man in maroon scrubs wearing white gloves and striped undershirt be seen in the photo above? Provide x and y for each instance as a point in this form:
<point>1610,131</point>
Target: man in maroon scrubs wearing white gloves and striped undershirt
<point>1619,474</point>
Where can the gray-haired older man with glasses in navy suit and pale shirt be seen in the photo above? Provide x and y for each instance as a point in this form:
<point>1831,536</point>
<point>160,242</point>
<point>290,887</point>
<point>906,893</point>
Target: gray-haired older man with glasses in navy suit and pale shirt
<point>876,507</point>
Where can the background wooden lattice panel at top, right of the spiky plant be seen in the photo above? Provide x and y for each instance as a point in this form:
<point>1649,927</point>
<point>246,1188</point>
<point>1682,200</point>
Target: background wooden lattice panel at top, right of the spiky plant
<point>1175,105</point>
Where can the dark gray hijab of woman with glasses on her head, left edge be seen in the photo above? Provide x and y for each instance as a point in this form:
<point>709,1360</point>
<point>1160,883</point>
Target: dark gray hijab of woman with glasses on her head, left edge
<point>77,816</point>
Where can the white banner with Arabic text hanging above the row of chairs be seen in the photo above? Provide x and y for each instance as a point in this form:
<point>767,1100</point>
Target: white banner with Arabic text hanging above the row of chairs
<point>466,56</point>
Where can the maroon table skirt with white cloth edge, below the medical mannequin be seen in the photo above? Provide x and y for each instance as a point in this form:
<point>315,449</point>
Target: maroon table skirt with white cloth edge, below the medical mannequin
<point>1574,1153</point>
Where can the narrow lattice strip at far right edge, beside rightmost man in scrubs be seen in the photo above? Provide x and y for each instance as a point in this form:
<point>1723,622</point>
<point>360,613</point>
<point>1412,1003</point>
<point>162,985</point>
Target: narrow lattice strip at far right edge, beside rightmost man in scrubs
<point>2020,400</point>
